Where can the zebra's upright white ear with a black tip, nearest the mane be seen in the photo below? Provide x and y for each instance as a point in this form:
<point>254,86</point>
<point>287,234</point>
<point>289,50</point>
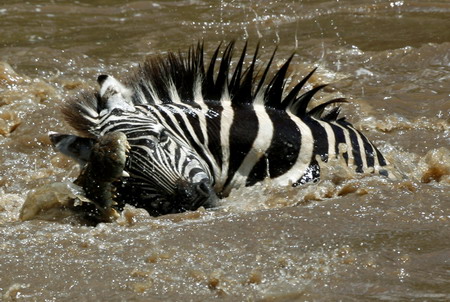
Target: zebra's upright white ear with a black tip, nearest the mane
<point>114,94</point>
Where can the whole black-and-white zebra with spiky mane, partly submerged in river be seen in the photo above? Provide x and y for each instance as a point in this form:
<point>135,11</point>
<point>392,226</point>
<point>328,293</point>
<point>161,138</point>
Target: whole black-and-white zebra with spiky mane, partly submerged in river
<point>195,131</point>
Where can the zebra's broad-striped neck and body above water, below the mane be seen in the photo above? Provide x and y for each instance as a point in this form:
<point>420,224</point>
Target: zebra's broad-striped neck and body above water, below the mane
<point>272,141</point>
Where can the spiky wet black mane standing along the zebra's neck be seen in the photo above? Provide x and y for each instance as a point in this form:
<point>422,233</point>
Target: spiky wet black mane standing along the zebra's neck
<point>184,75</point>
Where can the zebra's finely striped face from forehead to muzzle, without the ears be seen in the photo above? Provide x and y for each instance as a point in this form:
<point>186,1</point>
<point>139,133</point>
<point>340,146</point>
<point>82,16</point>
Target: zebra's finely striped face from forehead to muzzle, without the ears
<point>166,174</point>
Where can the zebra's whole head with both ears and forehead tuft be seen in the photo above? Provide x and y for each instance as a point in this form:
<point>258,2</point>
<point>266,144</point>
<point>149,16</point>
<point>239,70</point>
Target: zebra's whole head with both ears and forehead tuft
<point>162,173</point>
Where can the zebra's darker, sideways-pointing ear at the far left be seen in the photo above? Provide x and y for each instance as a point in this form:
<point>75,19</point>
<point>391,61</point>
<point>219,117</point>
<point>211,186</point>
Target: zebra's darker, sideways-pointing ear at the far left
<point>78,148</point>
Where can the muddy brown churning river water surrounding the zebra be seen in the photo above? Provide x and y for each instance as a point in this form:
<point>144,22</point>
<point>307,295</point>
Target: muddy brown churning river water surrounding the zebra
<point>349,237</point>
